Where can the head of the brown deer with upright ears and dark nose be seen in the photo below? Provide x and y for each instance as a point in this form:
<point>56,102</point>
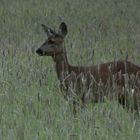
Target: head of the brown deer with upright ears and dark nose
<point>54,43</point>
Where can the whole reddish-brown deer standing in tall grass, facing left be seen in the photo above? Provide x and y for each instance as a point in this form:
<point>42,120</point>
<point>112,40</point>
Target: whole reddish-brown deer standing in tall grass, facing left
<point>83,84</point>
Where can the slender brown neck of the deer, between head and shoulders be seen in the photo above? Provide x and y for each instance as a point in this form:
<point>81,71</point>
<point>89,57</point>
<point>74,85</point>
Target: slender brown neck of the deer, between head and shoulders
<point>61,65</point>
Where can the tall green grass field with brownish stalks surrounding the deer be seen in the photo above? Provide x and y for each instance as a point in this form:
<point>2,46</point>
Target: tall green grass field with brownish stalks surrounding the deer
<point>31,104</point>
